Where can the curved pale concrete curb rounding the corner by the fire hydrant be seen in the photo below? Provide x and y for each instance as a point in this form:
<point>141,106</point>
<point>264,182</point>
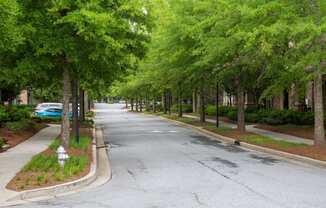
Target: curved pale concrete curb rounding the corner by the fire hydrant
<point>100,173</point>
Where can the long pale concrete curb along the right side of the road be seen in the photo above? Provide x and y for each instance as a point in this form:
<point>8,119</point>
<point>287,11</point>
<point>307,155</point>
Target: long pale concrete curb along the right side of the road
<point>307,160</point>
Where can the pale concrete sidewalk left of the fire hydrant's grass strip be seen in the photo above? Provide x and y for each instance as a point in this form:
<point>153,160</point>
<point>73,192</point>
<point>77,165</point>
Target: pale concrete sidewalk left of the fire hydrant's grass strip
<point>14,159</point>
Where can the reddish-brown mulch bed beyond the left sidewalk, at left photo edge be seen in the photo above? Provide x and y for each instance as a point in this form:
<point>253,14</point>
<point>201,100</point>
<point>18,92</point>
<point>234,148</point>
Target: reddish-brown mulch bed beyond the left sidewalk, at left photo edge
<point>15,138</point>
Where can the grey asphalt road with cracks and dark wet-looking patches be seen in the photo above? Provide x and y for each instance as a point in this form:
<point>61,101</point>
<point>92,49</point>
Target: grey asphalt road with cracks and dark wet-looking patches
<point>158,164</point>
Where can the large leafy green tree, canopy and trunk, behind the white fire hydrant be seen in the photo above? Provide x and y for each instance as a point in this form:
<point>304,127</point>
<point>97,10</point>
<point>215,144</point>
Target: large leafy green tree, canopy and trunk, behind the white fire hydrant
<point>83,39</point>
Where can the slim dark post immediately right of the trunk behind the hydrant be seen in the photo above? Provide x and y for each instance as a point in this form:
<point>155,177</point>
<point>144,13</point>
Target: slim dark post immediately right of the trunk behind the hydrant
<point>75,120</point>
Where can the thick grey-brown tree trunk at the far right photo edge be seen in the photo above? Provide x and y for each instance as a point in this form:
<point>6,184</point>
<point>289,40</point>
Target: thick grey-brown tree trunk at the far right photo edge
<point>319,134</point>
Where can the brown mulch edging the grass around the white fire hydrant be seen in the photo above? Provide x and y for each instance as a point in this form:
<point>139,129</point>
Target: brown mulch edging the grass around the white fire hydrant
<point>18,183</point>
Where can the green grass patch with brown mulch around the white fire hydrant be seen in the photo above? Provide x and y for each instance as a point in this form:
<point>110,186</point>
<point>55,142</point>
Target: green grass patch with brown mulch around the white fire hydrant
<point>44,168</point>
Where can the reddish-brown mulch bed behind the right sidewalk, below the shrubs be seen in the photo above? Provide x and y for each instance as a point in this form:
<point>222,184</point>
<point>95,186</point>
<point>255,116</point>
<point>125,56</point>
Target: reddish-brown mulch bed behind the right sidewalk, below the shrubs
<point>304,131</point>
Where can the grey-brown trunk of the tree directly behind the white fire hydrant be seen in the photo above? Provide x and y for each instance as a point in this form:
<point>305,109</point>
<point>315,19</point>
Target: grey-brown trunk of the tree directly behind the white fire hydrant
<point>65,125</point>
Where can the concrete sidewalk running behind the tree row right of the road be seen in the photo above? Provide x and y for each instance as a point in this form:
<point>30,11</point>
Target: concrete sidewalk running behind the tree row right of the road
<point>251,128</point>
